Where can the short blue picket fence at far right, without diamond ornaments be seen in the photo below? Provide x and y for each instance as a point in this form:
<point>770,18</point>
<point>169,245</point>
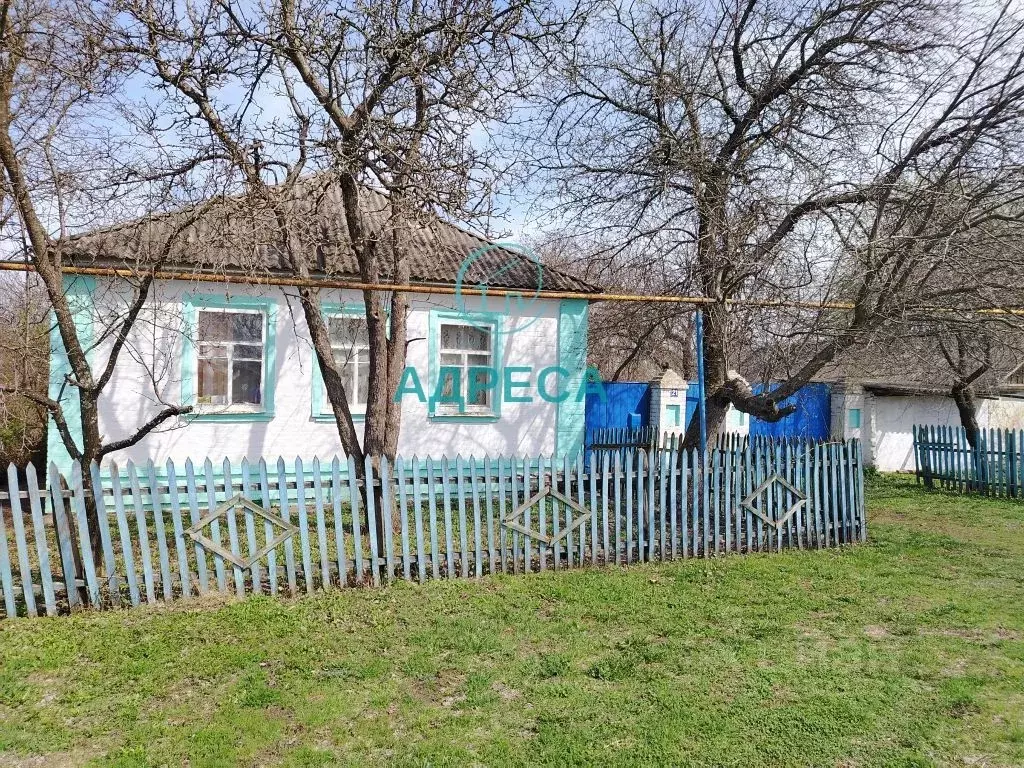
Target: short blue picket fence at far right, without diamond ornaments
<point>995,466</point>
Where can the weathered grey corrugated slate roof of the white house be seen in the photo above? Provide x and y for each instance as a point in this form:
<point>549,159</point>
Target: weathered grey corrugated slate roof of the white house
<point>233,236</point>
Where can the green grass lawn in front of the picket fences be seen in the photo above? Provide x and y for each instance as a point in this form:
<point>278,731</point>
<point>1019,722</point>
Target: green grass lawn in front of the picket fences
<point>909,651</point>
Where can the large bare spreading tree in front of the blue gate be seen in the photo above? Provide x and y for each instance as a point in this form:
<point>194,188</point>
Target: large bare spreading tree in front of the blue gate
<point>835,151</point>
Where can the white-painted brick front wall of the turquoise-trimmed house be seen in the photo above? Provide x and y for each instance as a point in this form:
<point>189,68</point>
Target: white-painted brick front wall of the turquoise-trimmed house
<point>150,374</point>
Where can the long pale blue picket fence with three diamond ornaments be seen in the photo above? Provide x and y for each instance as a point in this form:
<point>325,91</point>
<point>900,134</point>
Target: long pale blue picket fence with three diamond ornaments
<point>168,533</point>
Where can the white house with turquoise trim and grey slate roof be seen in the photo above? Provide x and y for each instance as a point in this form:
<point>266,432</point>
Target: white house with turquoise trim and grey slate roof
<point>224,332</point>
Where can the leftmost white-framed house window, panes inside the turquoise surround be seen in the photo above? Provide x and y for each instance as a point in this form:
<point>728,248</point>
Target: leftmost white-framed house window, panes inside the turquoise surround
<point>232,353</point>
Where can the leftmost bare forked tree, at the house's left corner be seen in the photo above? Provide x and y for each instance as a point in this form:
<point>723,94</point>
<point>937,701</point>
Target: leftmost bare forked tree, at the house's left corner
<point>68,165</point>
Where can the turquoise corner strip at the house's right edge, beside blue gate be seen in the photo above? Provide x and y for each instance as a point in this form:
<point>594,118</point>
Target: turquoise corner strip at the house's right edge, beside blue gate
<point>571,421</point>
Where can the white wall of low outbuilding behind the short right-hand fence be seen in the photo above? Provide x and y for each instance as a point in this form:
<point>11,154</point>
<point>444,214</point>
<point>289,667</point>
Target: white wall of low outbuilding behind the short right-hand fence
<point>887,422</point>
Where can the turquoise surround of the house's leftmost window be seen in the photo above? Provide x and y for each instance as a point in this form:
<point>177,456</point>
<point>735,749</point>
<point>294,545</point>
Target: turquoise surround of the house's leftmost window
<point>193,304</point>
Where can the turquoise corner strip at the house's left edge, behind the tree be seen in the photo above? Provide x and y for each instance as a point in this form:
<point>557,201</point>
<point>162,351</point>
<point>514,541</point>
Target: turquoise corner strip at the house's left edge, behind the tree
<point>80,291</point>
